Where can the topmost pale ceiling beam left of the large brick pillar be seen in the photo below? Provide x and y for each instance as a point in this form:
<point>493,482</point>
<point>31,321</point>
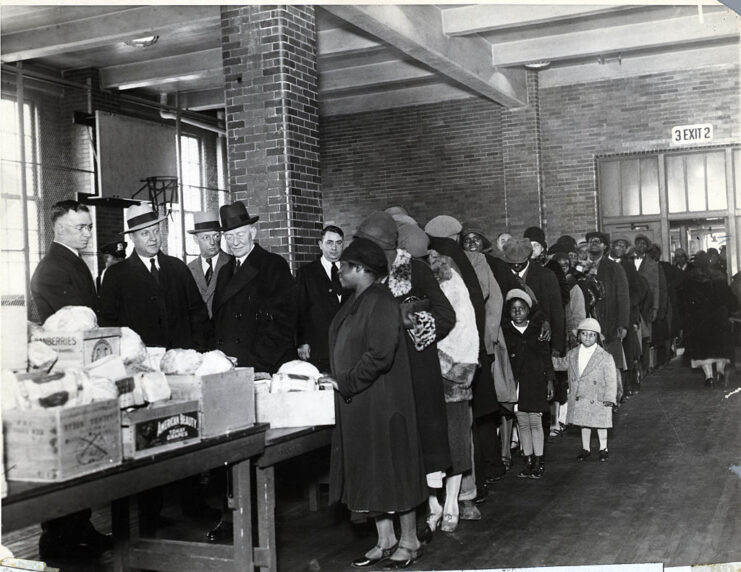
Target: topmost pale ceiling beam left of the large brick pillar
<point>101,30</point>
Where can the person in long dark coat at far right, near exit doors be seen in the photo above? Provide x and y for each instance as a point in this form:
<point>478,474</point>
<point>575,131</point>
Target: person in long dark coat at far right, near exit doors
<point>707,300</point>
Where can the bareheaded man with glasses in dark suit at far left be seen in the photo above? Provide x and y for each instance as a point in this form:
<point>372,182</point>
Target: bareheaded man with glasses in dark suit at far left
<point>63,279</point>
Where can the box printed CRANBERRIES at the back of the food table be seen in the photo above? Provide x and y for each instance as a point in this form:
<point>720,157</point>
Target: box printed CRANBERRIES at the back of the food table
<point>78,349</point>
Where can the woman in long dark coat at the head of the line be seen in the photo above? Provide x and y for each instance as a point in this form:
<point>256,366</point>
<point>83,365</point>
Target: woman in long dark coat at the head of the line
<point>376,466</point>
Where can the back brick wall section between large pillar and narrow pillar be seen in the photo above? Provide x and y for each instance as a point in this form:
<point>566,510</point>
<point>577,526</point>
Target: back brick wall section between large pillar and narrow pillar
<point>436,159</point>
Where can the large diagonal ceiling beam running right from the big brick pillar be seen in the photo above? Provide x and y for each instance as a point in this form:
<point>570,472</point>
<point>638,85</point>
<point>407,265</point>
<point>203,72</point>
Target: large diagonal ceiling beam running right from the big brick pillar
<point>417,31</point>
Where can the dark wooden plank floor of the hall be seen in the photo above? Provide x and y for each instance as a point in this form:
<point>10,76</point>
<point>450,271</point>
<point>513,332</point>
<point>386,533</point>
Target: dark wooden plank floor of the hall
<point>670,493</point>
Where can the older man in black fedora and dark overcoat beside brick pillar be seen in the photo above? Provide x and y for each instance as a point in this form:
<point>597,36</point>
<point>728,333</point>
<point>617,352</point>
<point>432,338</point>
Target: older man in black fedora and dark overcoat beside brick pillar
<point>254,309</point>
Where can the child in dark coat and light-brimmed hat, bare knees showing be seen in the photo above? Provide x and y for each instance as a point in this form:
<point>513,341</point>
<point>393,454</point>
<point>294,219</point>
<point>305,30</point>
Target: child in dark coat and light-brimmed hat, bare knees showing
<point>530,357</point>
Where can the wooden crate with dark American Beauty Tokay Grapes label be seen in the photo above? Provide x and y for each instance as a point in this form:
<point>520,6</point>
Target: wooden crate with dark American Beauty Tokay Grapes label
<point>159,427</point>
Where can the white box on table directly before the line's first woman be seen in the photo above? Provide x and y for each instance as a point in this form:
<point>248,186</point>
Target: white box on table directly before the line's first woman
<point>296,408</point>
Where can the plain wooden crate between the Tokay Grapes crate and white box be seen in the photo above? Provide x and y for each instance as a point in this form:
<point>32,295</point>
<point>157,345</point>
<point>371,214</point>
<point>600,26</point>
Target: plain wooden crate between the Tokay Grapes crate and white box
<point>226,400</point>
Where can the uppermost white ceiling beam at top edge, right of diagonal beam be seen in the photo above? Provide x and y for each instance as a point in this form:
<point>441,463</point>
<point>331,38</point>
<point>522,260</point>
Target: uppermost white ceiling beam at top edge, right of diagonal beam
<point>473,19</point>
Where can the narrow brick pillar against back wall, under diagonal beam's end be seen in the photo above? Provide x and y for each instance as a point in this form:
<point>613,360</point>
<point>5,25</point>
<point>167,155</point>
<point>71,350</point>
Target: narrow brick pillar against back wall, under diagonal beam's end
<point>521,159</point>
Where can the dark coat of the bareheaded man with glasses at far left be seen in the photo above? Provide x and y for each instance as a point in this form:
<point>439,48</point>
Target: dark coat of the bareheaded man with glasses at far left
<point>62,279</point>
